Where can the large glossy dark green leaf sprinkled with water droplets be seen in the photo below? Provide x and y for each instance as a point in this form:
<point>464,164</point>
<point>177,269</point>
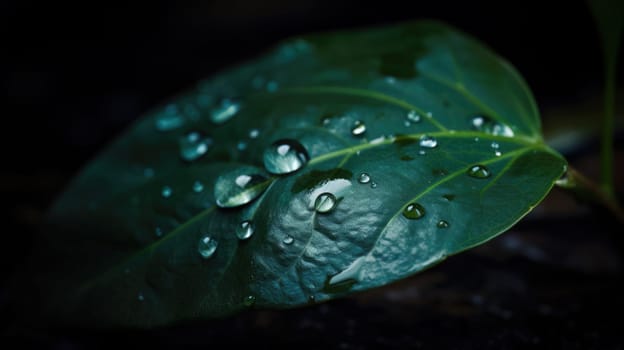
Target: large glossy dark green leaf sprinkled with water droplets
<point>419,141</point>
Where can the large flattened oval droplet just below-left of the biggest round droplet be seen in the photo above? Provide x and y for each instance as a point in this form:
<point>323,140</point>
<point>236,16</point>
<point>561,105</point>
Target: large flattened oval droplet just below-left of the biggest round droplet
<point>239,186</point>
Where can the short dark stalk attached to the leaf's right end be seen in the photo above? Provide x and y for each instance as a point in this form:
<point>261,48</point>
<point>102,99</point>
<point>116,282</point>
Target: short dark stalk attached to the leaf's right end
<point>586,189</point>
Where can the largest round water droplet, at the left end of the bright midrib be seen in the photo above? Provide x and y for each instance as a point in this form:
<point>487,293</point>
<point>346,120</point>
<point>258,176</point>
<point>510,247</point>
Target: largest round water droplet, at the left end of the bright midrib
<point>285,156</point>
